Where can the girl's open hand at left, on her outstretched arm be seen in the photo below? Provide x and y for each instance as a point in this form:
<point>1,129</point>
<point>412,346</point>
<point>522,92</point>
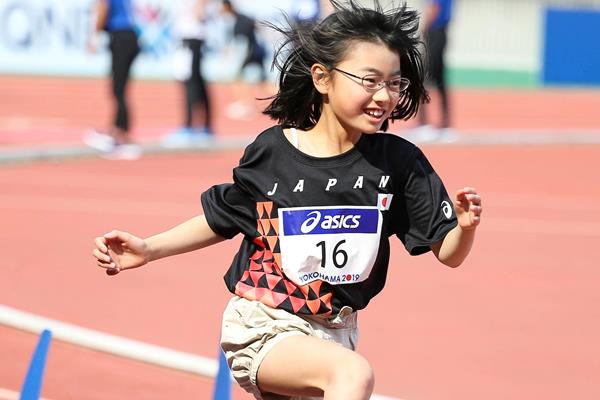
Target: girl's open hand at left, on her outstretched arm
<point>117,251</point>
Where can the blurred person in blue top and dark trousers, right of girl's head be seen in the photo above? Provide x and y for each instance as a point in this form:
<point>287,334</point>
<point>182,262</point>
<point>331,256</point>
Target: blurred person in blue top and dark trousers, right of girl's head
<point>436,19</point>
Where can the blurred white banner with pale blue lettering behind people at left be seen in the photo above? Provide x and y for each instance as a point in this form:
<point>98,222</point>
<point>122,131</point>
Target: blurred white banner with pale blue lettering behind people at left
<point>48,37</point>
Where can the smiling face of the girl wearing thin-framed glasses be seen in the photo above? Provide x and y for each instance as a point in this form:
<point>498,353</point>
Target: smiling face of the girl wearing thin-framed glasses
<point>358,102</point>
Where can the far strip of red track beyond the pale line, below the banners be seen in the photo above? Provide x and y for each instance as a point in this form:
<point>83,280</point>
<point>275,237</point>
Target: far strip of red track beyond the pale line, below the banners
<point>46,110</point>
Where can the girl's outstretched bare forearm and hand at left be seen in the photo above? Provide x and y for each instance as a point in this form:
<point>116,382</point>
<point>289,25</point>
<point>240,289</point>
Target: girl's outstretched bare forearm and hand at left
<point>118,250</point>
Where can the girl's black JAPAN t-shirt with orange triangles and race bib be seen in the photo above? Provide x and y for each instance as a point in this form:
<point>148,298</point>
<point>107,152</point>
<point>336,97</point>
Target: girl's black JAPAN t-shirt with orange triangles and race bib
<point>316,229</point>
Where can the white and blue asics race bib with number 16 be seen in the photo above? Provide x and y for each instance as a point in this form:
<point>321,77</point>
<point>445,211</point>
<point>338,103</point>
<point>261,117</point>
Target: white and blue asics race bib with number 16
<point>337,245</point>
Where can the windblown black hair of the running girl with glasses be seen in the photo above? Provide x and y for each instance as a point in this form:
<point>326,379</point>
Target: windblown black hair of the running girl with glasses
<point>298,103</point>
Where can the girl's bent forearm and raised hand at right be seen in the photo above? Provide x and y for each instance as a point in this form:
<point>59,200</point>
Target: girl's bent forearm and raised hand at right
<point>456,245</point>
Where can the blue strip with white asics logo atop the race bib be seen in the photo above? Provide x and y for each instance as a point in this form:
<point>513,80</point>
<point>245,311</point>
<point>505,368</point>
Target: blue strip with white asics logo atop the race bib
<point>328,220</point>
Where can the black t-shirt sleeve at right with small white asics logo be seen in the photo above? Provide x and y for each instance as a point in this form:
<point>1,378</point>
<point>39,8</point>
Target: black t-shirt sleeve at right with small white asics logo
<point>426,211</point>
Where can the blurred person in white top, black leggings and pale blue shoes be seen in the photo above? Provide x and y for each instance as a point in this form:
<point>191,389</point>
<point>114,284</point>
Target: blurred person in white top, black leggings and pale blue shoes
<point>190,27</point>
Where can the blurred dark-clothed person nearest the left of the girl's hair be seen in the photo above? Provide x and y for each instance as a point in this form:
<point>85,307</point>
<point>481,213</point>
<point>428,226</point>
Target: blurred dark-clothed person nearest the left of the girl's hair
<point>252,71</point>
